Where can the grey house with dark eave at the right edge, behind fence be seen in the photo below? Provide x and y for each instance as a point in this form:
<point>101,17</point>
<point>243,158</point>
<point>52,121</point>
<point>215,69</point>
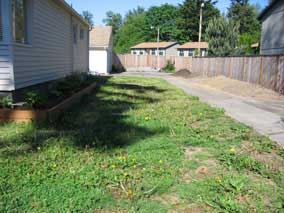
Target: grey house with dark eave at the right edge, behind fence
<point>272,35</point>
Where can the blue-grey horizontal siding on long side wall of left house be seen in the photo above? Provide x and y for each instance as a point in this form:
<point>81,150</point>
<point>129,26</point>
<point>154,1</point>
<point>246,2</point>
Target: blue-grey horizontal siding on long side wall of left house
<point>50,53</point>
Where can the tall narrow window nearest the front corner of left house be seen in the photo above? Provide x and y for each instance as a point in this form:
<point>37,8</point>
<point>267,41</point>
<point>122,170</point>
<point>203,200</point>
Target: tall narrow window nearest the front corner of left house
<point>19,11</point>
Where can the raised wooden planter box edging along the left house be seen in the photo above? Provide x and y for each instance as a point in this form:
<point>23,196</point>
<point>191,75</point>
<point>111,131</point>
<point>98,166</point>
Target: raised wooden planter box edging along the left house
<point>18,115</point>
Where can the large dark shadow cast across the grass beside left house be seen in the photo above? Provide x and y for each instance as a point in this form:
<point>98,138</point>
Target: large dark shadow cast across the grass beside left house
<point>100,121</point>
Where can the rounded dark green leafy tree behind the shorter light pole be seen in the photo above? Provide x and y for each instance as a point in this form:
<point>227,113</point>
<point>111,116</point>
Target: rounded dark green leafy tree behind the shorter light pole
<point>165,17</point>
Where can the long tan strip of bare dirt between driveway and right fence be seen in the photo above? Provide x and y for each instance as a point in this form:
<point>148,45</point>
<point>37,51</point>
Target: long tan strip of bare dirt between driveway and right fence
<point>240,88</point>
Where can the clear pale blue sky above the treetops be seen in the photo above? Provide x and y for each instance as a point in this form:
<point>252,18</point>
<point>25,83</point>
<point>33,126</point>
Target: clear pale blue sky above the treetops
<point>100,7</point>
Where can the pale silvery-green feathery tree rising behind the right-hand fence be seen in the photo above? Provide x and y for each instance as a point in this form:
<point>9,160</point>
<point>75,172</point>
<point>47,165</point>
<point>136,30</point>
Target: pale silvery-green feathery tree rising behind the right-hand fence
<point>223,37</point>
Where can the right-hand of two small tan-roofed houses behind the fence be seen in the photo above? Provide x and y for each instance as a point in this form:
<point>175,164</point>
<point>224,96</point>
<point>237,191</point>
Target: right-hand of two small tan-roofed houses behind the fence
<point>191,49</point>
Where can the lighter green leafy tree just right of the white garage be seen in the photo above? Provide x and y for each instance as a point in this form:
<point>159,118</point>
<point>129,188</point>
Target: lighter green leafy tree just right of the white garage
<point>131,33</point>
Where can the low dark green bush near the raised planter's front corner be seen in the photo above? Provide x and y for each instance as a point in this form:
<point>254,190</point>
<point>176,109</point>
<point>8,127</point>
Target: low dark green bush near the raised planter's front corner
<point>35,100</point>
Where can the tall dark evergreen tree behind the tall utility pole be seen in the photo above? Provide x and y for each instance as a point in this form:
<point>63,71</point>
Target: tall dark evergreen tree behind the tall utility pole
<point>188,23</point>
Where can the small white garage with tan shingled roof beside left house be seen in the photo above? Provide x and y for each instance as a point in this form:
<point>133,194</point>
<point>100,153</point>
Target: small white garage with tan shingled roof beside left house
<point>100,50</point>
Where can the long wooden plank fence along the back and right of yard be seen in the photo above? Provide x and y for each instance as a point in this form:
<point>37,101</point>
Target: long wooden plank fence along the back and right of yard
<point>267,71</point>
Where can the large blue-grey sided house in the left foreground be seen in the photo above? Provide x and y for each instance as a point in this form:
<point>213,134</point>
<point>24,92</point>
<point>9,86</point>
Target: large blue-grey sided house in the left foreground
<point>40,41</point>
